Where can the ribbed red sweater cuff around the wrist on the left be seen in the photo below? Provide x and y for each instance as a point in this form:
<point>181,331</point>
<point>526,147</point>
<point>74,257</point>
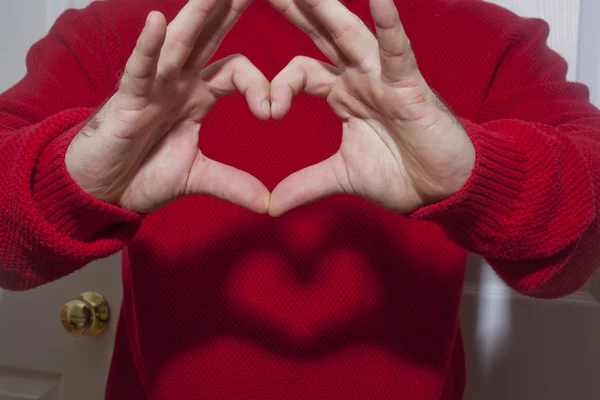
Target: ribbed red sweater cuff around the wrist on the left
<point>64,205</point>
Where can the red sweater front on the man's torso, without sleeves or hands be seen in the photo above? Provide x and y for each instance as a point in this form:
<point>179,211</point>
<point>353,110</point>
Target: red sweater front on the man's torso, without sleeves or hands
<point>338,299</point>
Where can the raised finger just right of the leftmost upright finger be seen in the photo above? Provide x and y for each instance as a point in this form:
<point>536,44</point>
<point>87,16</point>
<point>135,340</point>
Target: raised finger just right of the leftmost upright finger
<point>182,34</point>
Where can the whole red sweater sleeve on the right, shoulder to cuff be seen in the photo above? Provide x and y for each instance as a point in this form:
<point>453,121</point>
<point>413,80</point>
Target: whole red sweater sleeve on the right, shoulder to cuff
<point>532,204</point>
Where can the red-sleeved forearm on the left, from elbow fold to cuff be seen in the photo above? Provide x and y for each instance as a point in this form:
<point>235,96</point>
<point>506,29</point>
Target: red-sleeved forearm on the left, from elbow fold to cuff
<point>48,226</point>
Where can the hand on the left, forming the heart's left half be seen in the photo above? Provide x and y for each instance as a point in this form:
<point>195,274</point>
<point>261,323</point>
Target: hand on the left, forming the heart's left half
<point>140,150</point>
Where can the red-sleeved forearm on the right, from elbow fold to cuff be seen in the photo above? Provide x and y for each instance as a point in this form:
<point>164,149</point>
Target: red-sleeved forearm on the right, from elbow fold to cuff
<point>531,205</point>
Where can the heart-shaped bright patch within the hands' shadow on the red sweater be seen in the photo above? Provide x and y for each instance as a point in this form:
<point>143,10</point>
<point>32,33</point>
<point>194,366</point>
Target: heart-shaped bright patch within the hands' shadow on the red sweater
<point>341,289</point>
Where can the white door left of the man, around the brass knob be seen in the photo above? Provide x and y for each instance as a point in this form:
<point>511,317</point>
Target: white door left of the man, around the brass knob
<point>38,358</point>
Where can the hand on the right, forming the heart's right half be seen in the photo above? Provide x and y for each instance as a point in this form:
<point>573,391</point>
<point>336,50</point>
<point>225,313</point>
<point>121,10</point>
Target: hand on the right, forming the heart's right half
<point>401,147</point>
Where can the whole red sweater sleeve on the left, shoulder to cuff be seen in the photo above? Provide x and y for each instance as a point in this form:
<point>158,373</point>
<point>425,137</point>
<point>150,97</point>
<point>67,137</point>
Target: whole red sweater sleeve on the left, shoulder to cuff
<point>48,226</point>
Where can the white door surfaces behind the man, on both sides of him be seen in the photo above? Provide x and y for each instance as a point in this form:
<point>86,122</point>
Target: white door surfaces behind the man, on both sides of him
<point>517,348</point>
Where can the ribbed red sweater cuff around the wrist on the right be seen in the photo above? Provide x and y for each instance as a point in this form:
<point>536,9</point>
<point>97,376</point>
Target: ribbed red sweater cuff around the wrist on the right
<point>491,193</point>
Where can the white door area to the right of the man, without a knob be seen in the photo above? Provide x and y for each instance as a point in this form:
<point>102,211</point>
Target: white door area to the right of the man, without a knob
<point>519,348</point>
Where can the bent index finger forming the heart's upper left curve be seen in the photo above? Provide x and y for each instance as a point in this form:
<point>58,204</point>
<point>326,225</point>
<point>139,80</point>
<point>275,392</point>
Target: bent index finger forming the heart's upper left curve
<point>236,73</point>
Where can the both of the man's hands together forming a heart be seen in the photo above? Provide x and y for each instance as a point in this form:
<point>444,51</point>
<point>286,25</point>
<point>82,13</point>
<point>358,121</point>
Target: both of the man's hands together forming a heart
<point>401,147</point>
